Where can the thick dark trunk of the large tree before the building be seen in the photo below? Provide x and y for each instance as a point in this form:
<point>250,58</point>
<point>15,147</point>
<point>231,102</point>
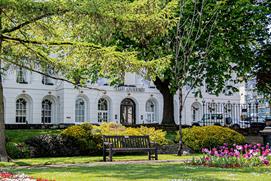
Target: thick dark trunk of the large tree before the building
<point>168,99</point>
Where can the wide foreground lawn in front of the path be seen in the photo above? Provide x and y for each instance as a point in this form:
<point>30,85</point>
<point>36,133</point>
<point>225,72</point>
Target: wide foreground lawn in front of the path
<point>147,172</point>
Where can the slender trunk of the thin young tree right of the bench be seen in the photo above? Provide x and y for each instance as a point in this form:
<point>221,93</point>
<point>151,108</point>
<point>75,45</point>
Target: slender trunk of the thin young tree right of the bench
<point>180,149</point>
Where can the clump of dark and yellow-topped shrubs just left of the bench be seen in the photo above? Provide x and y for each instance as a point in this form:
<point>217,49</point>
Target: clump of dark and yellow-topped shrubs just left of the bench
<point>75,140</point>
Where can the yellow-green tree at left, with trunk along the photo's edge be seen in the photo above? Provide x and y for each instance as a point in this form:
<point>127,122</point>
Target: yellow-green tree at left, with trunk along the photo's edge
<point>36,35</point>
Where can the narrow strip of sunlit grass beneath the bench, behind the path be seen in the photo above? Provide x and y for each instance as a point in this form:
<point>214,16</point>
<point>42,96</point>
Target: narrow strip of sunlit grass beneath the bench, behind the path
<point>85,159</point>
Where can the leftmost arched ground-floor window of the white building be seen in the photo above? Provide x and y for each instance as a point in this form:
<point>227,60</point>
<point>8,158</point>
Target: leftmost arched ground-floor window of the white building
<point>21,110</point>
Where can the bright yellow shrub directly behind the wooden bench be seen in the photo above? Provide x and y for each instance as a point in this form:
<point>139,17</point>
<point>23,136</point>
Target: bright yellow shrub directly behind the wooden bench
<point>157,136</point>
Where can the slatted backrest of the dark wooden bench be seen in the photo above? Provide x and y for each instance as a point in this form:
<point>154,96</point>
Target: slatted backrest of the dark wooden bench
<point>128,141</point>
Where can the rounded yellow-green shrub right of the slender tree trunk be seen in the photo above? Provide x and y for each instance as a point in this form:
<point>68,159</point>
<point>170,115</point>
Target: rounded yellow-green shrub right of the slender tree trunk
<point>209,137</point>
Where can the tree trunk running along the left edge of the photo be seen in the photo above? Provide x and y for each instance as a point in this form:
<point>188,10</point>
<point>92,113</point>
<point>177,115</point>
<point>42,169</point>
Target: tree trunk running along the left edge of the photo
<point>3,152</point>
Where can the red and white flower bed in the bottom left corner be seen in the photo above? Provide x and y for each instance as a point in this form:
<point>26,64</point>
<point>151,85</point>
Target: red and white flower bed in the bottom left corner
<point>7,176</point>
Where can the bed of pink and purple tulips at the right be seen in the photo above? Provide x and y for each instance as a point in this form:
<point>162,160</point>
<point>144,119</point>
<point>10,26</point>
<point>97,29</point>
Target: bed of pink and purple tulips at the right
<point>235,156</point>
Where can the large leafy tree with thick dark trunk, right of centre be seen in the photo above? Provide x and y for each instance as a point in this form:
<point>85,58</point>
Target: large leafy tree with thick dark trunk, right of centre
<point>153,37</point>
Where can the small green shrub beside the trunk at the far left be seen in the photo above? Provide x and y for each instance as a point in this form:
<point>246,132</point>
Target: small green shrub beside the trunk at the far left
<point>17,150</point>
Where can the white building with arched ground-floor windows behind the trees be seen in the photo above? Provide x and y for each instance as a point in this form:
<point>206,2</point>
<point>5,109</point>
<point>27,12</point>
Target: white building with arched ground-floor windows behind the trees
<point>31,98</point>
